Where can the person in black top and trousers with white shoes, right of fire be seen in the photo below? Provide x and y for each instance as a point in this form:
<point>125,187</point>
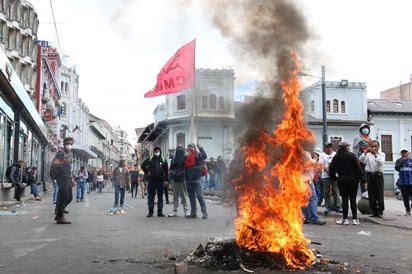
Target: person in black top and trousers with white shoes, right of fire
<point>346,170</point>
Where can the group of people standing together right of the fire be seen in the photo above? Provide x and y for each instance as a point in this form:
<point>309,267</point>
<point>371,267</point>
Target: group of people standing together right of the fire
<point>339,175</point>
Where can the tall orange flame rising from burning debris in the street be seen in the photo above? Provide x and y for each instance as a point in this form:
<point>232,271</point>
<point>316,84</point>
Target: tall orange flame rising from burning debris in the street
<point>274,188</point>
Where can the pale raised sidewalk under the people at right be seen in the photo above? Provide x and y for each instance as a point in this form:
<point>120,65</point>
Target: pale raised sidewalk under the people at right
<point>393,215</point>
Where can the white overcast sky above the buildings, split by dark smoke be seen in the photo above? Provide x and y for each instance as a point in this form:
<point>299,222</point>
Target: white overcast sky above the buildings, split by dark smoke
<point>119,46</point>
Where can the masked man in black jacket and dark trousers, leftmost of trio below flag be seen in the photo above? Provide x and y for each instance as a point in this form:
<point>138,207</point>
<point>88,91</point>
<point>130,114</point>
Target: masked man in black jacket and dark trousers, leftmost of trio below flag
<point>156,169</point>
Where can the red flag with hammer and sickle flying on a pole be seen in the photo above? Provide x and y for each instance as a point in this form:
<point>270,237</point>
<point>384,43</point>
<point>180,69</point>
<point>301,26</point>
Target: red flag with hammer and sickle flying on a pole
<point>177,74</point>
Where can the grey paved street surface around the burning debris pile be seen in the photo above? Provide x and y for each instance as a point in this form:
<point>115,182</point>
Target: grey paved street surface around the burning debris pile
<point>131,243</point>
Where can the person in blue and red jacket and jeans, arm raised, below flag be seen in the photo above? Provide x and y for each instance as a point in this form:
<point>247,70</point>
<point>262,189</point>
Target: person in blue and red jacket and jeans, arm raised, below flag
<point>193,170</point>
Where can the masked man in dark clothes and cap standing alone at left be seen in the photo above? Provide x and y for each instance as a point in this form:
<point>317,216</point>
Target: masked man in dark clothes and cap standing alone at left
<point>64,179</point>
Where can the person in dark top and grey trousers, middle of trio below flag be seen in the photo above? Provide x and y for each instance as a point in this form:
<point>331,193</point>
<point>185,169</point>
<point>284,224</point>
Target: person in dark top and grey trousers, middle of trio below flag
<point>177,174</point>
